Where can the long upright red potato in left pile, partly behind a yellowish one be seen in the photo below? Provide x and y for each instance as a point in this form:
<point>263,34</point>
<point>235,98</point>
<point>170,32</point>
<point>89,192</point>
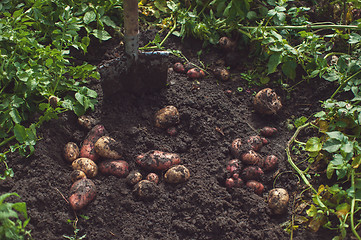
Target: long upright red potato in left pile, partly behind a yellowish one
<point>87,149</point>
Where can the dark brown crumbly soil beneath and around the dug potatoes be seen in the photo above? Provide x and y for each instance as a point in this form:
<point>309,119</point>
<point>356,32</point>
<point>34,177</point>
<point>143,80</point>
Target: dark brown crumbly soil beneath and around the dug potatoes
<point>212,115</point>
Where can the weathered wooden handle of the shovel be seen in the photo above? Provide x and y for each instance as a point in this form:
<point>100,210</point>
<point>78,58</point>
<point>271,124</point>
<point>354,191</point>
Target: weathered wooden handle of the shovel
<point>131,27</point>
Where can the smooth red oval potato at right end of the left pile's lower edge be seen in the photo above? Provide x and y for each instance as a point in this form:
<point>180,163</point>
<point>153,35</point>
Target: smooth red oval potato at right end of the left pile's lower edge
<point>118,168</point>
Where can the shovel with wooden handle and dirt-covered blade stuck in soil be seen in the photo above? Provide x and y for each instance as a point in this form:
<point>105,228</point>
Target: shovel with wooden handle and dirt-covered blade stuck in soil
<point>134,72</point>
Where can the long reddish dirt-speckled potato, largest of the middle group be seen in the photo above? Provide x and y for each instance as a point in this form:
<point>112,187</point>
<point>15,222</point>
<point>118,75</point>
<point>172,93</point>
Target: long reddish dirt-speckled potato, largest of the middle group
<point>155,160</point>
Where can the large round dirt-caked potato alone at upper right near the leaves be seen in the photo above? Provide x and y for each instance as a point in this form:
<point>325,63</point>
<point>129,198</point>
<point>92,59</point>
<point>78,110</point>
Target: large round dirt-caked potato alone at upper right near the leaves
<point>267,102</point>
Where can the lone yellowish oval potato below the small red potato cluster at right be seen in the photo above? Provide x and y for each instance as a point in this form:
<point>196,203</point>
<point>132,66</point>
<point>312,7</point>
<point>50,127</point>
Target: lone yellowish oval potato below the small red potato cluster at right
<point>278,200</point>
